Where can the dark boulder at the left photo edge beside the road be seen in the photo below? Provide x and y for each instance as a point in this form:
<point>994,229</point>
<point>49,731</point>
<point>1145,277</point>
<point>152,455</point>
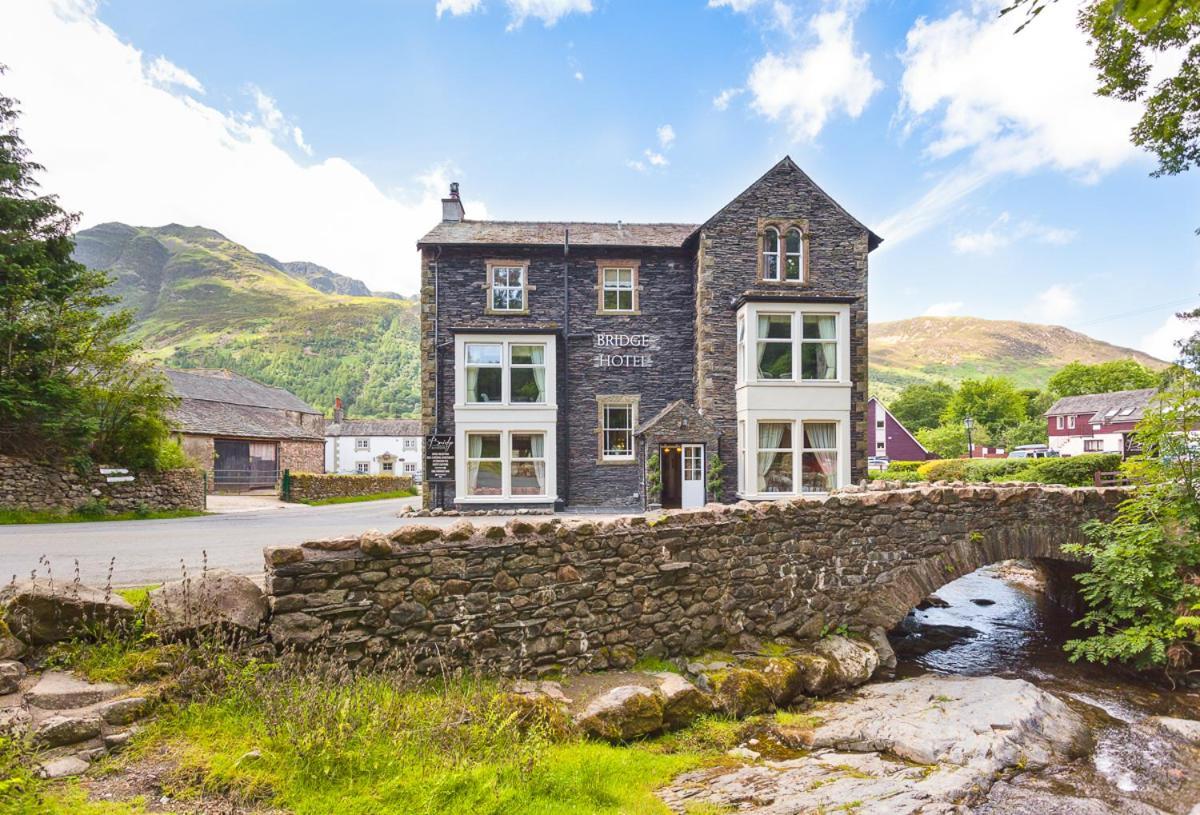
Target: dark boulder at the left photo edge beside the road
<point>41,613</point>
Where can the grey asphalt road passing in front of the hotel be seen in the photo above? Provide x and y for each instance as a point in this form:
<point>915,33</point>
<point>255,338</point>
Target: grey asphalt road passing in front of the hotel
<point>152,552</point>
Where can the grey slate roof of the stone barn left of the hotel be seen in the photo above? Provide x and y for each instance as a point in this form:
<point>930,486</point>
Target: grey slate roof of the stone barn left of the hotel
<point>224,404</point>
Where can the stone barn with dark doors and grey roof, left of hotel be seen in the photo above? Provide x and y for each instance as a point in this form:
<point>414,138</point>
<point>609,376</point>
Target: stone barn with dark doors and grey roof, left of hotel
<point>244,433</point>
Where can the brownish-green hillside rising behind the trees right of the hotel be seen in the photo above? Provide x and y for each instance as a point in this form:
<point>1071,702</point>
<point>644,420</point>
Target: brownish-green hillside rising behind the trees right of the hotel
<point>956,349</point>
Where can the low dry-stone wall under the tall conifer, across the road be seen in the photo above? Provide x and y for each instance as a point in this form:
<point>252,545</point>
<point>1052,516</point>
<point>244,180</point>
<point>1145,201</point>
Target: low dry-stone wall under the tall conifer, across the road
<point>44,487</point>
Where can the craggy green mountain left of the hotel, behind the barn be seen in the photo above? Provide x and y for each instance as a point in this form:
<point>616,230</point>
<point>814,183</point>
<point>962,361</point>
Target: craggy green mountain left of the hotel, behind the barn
<point>202,301</point>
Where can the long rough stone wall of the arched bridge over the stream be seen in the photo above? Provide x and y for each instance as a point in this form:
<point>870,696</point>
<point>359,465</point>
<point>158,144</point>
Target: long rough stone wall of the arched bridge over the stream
<point>541,595</point>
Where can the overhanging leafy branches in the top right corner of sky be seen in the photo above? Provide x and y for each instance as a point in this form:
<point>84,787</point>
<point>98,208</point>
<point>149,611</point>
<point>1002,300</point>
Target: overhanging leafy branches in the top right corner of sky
<point>1127,37</point>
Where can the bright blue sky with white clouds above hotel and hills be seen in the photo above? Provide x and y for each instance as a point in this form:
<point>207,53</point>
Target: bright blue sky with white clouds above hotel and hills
<point>1001,185</point>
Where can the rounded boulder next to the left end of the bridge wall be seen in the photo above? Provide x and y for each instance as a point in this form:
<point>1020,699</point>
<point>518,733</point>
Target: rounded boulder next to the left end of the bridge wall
<point>219,600</point>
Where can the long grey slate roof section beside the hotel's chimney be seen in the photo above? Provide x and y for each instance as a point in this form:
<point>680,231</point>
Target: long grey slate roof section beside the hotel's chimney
<point>550,233</point>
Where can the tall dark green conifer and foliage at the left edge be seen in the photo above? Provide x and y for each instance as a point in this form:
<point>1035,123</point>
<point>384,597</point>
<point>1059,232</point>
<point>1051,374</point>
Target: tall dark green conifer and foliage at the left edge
<point>68,382</point>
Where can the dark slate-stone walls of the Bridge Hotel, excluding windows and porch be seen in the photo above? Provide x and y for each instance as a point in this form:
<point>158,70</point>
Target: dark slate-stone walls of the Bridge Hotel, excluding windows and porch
<point>686,307</point>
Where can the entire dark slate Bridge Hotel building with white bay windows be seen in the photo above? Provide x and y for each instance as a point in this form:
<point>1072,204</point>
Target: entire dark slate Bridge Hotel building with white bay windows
<point>627,365</point>
